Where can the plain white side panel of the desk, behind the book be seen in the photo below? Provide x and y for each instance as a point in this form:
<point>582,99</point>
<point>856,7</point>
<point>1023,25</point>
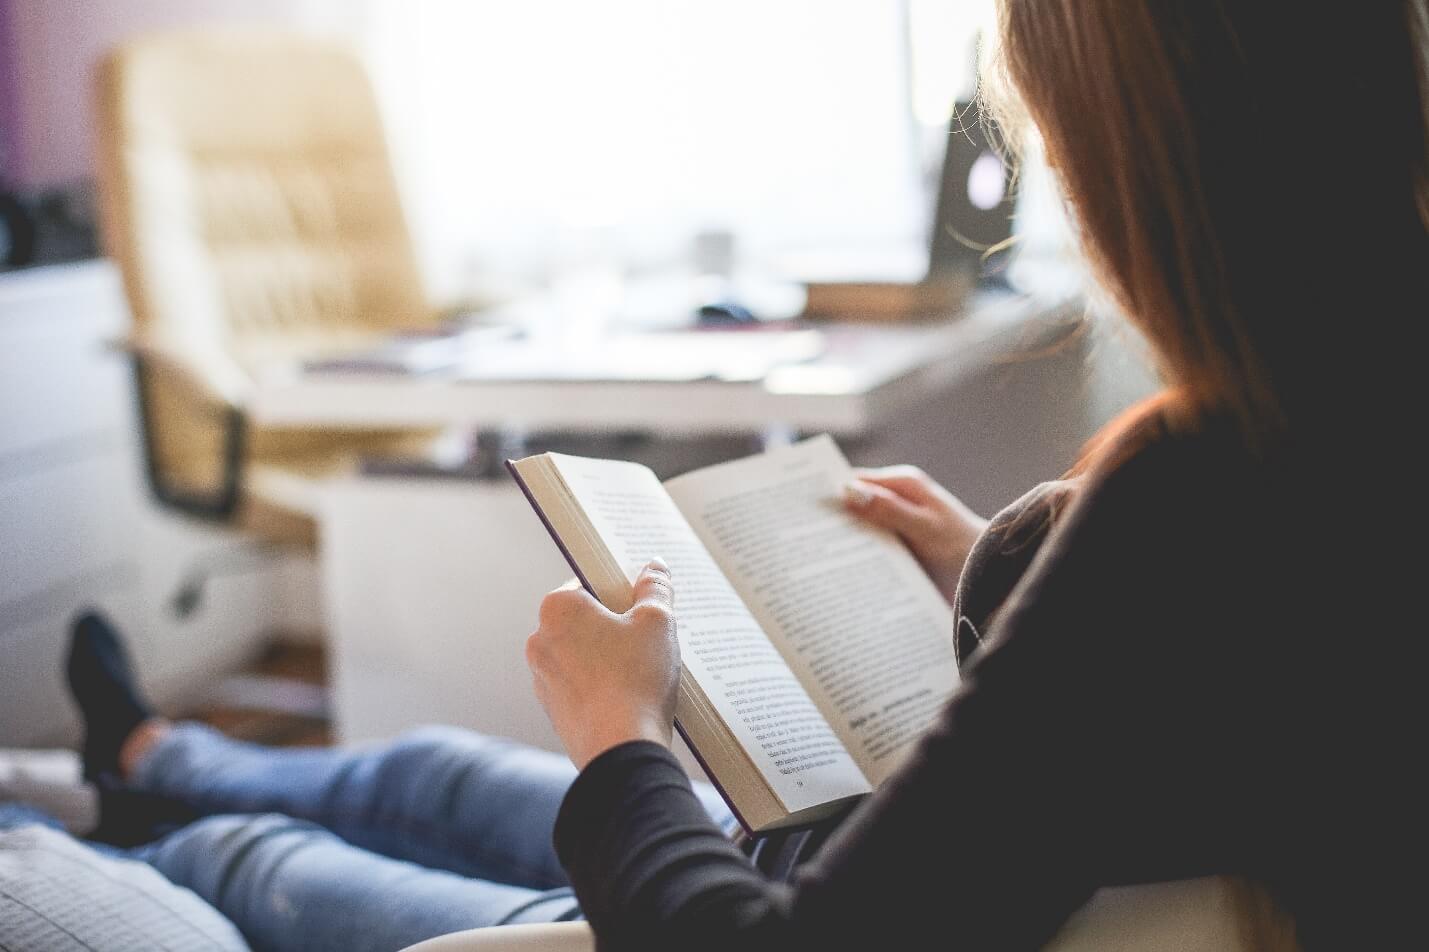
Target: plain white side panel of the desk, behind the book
<point>431,588</point>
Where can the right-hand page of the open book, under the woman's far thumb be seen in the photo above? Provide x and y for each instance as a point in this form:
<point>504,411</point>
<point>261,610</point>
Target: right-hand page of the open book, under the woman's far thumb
<point>852,611</point>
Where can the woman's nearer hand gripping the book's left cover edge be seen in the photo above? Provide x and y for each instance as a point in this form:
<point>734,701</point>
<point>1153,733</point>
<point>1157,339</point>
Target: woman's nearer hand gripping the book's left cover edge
<point>608,678</point>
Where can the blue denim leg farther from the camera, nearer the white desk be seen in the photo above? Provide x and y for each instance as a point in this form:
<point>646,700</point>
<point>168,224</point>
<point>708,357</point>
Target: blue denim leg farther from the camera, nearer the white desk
<point>439,797</point>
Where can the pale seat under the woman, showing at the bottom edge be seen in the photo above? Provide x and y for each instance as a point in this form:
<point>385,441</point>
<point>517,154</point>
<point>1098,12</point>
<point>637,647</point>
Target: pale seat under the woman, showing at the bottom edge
<point>1190,916</point>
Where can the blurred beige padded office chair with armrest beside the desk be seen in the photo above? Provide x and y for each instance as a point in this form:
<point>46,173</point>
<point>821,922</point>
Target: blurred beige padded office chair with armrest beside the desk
<point>249,202</point>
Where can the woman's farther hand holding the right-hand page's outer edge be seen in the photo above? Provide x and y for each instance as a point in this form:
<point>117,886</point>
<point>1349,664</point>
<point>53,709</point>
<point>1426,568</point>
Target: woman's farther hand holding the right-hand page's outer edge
<point>935,525</point>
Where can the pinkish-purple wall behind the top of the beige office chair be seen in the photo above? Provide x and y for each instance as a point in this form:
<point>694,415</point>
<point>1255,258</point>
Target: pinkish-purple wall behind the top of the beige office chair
<point>48,56</point>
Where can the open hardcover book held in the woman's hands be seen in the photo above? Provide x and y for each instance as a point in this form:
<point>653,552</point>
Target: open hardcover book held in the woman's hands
<point>815,650</point>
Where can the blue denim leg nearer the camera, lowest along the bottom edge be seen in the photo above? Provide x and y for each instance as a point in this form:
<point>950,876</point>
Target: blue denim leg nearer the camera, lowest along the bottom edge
<point>289,884</point>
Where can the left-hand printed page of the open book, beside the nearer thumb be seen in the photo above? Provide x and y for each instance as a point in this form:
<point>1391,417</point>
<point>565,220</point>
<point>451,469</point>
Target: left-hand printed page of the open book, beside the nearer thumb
<point>722,645</point>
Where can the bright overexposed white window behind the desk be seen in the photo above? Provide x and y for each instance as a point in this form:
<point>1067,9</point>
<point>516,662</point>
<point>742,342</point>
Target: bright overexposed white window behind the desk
<point>527,134</point>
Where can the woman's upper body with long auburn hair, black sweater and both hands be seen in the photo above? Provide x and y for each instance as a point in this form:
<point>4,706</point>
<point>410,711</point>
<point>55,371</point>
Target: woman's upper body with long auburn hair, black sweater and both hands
<point>1191,658</point>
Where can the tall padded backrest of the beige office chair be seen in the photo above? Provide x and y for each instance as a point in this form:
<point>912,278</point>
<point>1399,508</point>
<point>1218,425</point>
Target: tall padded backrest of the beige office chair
<point>249,191</point>
